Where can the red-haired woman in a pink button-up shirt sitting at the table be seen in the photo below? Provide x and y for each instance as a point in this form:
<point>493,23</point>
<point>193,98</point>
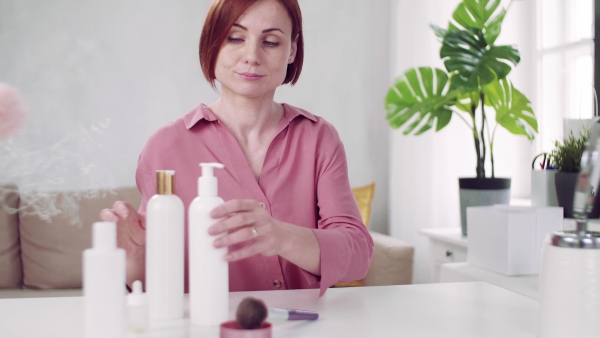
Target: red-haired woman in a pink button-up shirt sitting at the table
<point>289,218</point>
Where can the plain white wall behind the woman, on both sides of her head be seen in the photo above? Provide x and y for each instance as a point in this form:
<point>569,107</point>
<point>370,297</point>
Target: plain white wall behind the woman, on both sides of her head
<point>100,76</point>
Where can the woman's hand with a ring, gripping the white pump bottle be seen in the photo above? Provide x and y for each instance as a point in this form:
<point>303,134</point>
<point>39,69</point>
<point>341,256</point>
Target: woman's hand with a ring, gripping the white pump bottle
<point>244,220</point>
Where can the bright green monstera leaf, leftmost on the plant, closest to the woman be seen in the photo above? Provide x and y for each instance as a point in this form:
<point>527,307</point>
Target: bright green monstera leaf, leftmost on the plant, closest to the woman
<point>419,98</point>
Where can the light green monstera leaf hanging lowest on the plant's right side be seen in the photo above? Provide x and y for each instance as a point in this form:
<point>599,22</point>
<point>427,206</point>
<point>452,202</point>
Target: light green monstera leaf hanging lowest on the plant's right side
<point>513,109</point>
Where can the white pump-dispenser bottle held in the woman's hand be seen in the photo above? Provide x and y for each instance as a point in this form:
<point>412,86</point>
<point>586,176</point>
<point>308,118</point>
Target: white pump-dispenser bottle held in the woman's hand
<point>208,269</point>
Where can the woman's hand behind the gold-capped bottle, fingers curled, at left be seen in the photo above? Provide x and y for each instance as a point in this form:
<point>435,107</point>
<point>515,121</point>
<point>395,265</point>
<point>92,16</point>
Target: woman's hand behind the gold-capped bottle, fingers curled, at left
<point>131,236</point>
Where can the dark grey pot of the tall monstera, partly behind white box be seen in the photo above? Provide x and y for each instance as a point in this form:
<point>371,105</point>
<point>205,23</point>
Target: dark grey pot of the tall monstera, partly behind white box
<point>479,192</point>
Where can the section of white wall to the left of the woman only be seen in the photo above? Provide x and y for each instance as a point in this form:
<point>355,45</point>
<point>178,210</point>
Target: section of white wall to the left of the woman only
<point>123,68</point>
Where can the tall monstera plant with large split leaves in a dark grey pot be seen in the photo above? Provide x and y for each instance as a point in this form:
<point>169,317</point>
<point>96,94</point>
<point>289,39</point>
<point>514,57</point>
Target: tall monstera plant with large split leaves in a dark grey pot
<point>474,87</point>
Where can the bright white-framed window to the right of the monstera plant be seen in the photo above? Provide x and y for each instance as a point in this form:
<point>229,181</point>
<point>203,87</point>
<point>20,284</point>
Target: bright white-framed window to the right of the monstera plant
<point>565,63</point>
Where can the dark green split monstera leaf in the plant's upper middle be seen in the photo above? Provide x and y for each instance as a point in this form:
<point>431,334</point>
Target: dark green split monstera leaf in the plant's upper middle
<point>476,64</point>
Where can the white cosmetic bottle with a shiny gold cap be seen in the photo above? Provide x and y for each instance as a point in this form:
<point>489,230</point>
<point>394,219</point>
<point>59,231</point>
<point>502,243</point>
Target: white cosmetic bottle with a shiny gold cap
<point>165,250</point>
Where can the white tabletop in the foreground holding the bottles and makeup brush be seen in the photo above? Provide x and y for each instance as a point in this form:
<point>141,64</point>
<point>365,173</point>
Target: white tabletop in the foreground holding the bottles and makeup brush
<point>474,309</point>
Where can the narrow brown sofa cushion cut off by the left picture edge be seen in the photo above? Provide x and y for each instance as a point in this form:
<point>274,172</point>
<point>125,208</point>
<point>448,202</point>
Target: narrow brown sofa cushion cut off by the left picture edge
<point>11,275</point>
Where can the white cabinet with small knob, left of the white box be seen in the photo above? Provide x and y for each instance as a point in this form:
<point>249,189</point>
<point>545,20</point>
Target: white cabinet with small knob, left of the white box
<point>447,245</point>
